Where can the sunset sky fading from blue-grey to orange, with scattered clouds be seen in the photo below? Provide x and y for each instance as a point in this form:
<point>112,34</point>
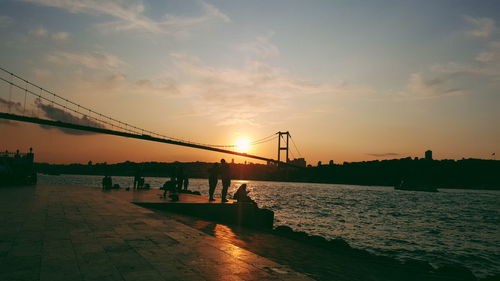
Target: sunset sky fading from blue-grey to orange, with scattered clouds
<point>350,80</point>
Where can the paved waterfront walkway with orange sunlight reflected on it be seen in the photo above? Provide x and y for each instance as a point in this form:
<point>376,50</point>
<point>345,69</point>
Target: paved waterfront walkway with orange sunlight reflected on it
<point>76,233</point>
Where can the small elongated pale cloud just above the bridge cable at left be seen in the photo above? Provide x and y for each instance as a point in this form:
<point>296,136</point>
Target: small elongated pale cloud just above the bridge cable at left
<point>94,60</point>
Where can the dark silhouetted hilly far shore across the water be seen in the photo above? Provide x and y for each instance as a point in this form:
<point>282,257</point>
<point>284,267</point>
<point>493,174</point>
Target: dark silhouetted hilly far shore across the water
<point>464,174</point>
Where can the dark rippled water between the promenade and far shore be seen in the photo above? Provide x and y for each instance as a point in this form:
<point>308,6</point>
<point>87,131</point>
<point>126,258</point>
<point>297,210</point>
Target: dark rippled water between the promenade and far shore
<point>452,226</point>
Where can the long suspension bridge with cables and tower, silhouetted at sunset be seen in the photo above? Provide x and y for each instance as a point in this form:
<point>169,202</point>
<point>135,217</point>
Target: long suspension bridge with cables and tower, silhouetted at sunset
<point>29,102</point>
